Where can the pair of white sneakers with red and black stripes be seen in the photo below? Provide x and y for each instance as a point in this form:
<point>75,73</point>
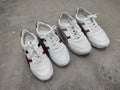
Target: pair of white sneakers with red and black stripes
<point>39,62</point>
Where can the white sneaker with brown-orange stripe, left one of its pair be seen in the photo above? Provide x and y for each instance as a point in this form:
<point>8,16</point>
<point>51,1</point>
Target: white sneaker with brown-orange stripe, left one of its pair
<point>75,38</point>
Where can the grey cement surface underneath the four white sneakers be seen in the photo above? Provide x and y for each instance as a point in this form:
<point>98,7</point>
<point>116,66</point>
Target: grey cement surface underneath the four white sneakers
<point>100,70</point>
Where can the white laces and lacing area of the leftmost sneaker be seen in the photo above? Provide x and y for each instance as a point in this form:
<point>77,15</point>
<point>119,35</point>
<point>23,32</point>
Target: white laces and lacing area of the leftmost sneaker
<point>34,52</point>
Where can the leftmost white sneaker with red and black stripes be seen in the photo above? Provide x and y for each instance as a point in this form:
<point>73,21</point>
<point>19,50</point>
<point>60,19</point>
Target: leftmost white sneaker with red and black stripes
<point>40,64</point>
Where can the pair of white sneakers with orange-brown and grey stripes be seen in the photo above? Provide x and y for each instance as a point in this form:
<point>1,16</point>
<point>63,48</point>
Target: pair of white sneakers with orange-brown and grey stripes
<point>75,36</point>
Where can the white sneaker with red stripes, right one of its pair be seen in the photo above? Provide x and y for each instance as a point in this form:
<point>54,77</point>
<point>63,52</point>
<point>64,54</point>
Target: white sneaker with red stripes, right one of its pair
<point>57,50</point>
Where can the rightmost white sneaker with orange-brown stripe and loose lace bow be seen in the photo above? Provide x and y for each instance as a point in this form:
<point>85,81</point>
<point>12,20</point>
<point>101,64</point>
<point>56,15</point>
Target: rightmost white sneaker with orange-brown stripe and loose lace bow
<point>94,32</point>
